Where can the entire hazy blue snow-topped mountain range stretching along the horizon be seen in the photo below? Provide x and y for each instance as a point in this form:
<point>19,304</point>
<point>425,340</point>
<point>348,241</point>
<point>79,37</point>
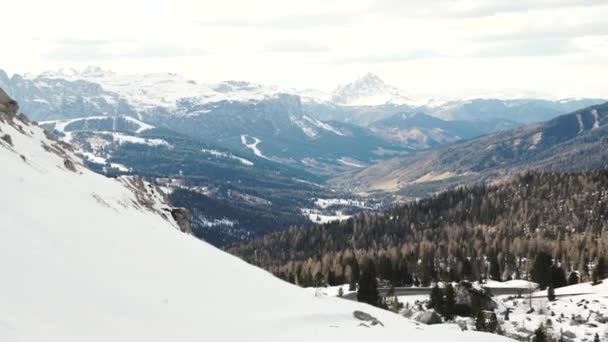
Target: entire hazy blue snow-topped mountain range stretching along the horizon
<point>359,124</point>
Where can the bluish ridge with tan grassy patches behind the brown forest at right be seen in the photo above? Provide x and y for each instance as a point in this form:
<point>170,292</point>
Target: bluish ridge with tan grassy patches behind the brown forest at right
<point>575,141</point>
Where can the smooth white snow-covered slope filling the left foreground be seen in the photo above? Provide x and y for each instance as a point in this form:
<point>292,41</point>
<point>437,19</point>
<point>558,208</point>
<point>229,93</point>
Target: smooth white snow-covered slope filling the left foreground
<point>83,260</point>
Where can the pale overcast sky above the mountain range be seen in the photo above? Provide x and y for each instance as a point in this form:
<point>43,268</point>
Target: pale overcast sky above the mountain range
<point>428,48</point>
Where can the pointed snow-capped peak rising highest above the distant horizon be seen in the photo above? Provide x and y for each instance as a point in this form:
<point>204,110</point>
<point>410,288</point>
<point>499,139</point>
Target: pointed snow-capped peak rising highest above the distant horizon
<point>370,90</point>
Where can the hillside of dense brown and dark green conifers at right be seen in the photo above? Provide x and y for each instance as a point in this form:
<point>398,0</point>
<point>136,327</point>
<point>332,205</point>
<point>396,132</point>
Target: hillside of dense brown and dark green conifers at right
<point>487,231</point>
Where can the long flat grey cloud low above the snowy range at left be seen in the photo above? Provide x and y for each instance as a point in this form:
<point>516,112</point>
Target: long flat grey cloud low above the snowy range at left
<point>87,50</point>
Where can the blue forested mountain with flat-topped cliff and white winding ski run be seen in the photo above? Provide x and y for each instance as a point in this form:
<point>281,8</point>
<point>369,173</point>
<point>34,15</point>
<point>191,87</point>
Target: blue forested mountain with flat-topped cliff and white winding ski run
<point>277,129</point>
